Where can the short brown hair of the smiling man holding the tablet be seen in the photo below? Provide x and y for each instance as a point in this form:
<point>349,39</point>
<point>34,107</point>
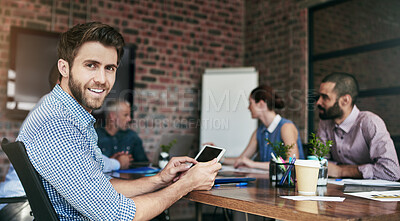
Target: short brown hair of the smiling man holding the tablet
<point>74,38</point>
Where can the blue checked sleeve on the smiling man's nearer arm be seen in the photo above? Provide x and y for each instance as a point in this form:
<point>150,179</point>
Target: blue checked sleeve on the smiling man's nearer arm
<point>71,170</point>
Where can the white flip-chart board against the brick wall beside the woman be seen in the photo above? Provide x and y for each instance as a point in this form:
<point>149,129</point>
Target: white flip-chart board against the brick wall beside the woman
<point>225,118</point>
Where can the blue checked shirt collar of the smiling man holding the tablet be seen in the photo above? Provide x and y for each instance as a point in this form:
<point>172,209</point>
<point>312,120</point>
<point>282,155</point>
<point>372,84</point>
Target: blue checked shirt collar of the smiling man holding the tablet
<point>84,117</point>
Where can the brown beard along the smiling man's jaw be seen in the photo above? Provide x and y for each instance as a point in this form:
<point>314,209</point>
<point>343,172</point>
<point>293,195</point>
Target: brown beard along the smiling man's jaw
<point>78,90</point>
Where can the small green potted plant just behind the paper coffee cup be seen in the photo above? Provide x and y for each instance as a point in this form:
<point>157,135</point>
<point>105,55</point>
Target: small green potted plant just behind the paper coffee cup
<point>319,150</point>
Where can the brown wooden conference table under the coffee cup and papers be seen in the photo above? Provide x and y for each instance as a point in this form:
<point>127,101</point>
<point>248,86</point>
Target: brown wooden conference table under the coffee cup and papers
<point>261,198</point>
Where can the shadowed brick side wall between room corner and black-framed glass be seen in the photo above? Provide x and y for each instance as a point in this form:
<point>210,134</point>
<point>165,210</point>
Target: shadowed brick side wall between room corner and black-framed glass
<point>276,44</point>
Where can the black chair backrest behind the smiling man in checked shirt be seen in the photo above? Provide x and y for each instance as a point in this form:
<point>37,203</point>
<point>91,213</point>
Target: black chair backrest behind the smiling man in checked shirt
<point>39,201</point>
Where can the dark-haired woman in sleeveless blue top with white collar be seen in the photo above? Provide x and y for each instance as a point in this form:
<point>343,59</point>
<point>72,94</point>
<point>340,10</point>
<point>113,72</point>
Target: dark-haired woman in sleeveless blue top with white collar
<point>262,104</point>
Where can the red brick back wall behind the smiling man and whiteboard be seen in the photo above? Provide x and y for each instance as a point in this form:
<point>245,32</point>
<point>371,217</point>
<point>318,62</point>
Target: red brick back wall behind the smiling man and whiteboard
<point>175,40</point>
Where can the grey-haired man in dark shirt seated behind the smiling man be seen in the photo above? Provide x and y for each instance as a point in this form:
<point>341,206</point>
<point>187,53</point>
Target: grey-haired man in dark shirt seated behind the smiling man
<point>116,137</point>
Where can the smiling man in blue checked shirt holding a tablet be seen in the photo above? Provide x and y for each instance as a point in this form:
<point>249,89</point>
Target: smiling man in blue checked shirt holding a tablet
<point>61,141</point>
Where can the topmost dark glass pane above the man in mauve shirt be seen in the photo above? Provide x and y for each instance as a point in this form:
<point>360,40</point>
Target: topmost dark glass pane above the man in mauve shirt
<point>354,23</point>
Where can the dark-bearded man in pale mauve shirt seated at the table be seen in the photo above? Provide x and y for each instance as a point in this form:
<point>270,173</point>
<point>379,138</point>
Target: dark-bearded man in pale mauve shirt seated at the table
<point>362,146</point>
